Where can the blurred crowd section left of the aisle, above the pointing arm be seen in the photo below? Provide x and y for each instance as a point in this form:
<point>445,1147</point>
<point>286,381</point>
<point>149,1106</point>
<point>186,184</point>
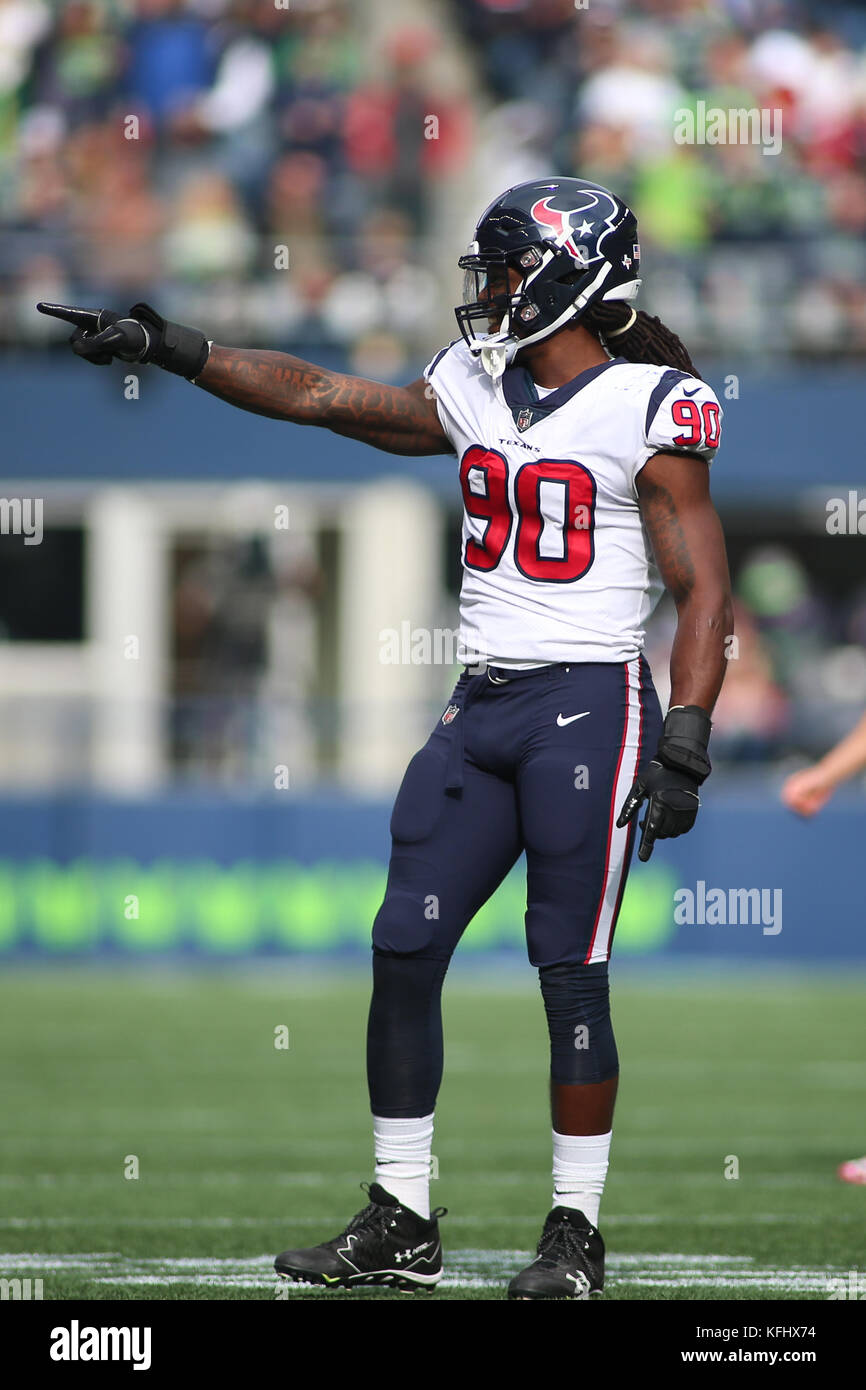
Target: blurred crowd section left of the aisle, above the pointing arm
<point>259,129</point>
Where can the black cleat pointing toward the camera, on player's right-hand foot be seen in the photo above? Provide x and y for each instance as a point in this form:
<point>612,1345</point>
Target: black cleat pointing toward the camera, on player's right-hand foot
<point>571,1261</point>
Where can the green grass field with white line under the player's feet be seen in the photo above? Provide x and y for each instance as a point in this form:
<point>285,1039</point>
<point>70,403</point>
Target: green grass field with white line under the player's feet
<point>244,1149</point>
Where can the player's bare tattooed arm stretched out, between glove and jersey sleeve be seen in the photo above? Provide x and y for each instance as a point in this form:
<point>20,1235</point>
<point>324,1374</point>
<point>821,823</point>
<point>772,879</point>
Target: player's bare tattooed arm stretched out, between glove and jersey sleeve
<point>397,419</point>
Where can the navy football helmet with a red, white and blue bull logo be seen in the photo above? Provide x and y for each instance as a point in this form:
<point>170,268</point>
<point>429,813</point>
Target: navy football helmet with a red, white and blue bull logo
<point>573,244</point>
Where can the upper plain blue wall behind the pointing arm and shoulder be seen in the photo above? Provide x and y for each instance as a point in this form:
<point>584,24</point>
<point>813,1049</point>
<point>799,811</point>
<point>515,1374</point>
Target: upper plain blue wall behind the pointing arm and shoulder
<point>66,420</point>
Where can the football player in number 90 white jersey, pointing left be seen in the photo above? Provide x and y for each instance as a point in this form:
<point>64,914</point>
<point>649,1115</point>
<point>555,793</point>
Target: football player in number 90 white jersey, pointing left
<point>583,436</point>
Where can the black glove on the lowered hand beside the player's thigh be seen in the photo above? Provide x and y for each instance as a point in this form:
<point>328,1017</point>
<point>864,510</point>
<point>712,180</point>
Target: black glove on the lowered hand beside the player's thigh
<point>672,780</point>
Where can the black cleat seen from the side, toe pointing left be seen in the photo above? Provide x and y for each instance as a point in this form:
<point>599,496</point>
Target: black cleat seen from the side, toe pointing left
<point>384,1245</point>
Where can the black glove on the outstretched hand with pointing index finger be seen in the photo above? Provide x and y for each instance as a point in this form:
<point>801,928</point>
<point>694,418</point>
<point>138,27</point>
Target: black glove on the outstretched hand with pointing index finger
<point>102,334</point>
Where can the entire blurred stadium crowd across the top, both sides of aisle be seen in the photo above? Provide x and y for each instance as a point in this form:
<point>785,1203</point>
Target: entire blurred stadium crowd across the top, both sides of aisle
<point>263,126</point>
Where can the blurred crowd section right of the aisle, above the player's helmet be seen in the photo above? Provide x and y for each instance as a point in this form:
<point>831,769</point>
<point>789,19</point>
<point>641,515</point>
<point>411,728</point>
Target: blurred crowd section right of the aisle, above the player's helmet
<point>728,230</point>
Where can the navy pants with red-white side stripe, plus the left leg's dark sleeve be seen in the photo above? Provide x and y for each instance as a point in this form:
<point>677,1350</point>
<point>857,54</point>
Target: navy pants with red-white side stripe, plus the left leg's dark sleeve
<point>537,762</point>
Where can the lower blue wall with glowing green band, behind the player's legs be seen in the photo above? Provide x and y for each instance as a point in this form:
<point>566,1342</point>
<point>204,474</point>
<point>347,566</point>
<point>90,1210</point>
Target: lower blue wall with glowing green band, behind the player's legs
<point>301,869</point>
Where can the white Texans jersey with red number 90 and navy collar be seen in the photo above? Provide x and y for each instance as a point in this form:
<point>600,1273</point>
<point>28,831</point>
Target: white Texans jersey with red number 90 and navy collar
<point>557,562</point>
